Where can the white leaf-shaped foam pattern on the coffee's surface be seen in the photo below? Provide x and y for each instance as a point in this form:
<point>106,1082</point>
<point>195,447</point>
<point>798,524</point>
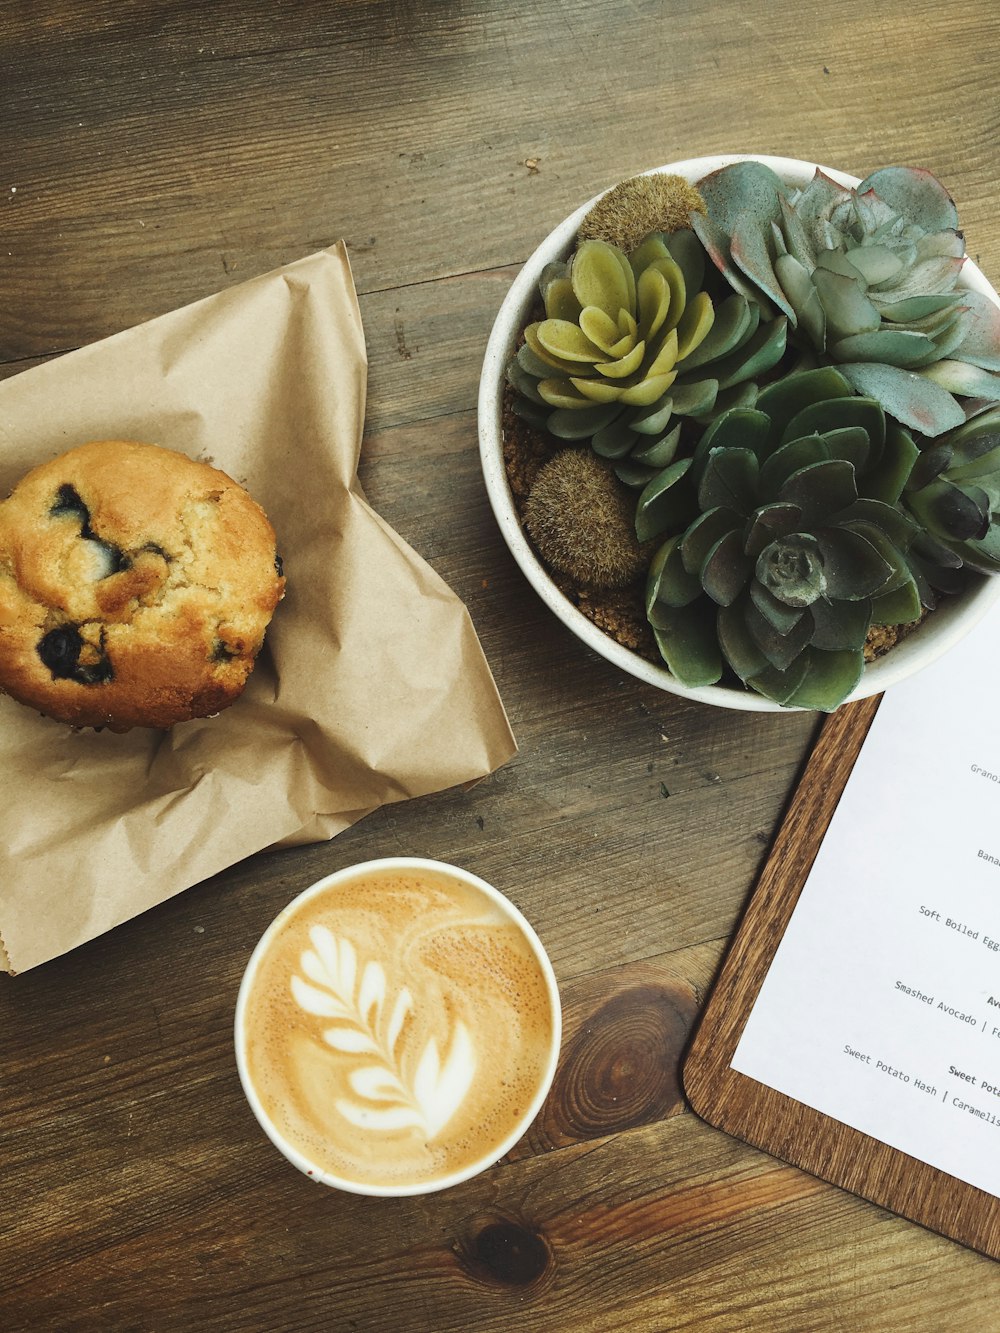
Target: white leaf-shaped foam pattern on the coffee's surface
<point>370,1031</point>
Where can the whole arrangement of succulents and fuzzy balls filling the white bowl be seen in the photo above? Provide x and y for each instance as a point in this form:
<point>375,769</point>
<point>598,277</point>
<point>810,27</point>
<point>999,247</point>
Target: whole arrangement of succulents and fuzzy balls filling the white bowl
<point>777,438</point>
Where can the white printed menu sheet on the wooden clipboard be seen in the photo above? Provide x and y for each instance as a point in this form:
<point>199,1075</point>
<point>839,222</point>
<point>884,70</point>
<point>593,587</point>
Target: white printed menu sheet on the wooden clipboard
<point>882,1006</point>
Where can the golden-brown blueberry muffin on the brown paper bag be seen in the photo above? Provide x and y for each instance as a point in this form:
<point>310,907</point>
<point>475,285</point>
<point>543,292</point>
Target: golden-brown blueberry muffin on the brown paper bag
<point>135,587</point>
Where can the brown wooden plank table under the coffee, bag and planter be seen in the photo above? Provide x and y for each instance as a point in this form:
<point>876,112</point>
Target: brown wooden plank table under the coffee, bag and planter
<point>154,154</point>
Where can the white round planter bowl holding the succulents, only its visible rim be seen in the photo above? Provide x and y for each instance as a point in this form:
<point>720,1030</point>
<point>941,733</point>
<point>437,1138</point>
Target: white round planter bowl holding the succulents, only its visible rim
<point>949,625</point>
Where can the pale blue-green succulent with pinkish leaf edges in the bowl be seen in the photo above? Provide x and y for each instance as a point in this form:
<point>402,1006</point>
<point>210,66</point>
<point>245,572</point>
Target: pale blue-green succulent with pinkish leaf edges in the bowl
<point>867,278</point>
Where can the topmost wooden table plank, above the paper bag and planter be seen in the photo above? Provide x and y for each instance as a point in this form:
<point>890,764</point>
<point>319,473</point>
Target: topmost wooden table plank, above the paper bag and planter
<point>249,147</point>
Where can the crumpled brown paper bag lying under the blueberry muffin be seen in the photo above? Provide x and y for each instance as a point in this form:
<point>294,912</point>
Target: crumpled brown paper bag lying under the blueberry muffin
<point>373,686</point>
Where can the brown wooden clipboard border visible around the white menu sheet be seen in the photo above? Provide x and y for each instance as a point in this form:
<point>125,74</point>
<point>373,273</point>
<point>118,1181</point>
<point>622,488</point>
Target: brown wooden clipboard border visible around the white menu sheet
<point>769,1119</point>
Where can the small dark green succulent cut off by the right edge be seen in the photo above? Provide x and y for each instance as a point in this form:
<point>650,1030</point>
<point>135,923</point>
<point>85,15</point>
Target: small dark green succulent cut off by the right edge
<point>954,493</point>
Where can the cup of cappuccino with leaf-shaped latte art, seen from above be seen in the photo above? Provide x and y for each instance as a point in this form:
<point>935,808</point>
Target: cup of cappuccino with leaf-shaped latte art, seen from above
<point>398,1028</point>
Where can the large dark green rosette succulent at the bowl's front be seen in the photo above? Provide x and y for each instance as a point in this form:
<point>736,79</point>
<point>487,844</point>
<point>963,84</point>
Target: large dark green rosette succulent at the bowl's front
<point>787,543</point>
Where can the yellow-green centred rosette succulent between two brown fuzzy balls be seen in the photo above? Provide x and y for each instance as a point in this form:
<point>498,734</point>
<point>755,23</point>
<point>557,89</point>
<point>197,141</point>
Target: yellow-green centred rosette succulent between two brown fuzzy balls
<point>630,343</point>
